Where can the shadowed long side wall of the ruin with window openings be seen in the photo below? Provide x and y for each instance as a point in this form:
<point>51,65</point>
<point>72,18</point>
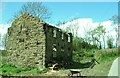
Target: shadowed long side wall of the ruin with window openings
<point>58,45</point>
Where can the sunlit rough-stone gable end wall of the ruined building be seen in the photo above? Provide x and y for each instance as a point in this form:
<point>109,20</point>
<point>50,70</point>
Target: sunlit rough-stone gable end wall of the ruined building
<point>26,42</point>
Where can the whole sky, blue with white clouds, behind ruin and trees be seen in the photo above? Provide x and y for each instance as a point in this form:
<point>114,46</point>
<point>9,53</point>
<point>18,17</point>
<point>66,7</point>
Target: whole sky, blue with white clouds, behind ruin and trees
<point>88,13</point>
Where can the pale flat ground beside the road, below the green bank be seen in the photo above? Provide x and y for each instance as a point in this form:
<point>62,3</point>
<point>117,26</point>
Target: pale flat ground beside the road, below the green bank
<point>97,70</point>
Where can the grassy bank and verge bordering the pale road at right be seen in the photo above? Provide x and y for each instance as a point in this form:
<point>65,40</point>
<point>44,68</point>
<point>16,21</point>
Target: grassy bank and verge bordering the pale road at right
<point>106,58</point>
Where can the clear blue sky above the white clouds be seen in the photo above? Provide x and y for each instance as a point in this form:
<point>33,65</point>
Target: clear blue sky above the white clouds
<point>65,11</point>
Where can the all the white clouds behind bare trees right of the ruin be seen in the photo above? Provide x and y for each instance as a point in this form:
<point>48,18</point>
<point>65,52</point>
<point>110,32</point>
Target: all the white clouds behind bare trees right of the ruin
<point>86,24</point>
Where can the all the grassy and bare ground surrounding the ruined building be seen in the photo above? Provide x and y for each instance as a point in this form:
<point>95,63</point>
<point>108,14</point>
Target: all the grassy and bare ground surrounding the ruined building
<point>106,59</point>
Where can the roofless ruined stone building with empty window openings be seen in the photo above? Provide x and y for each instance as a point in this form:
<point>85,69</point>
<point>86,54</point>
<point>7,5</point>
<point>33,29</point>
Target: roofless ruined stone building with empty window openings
<point>34,43</point>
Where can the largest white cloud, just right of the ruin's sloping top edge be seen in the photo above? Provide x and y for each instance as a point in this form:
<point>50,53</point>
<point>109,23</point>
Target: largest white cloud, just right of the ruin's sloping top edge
<point>85,24</point>
